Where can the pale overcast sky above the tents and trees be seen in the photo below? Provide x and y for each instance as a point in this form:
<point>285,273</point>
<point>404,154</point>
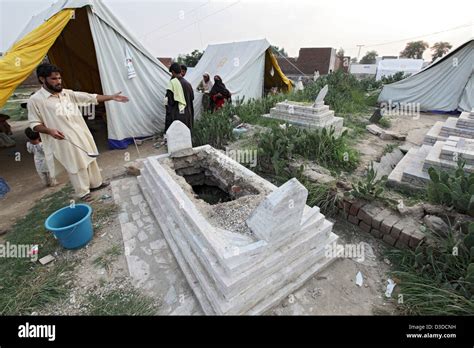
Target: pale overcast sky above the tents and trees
<point>169,28</point>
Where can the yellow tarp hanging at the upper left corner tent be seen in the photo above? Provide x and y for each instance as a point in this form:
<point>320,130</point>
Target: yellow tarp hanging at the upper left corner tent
<point>27,53</point>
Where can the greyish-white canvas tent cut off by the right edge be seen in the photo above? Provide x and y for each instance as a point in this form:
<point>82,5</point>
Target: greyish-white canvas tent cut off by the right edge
<point>446,85</point>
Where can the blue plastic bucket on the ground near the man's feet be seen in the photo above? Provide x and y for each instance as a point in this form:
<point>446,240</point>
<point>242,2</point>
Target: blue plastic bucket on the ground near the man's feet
<point>71,225</point>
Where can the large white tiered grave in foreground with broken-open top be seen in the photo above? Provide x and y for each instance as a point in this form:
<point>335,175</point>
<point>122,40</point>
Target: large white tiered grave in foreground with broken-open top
<point>242,243</point>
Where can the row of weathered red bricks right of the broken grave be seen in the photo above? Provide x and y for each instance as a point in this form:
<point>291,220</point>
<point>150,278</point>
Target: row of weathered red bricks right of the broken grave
<point>383,223</point>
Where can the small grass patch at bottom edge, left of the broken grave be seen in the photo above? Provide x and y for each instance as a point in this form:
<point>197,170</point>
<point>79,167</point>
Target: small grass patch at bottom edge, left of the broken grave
<point>120,302</point>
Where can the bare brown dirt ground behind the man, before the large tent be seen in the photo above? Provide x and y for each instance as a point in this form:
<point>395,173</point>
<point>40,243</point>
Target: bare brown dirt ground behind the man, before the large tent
<point>25,185</point>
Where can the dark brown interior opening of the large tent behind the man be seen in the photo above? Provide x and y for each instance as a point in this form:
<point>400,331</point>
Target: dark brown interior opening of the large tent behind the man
<point>74,53</point>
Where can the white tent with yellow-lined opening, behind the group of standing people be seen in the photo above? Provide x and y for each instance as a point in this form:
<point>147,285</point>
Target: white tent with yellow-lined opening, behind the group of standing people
<point>247,68</point>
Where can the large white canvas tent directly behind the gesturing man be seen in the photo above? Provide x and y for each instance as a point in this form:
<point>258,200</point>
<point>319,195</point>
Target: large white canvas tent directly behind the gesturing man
<point>91,49</point>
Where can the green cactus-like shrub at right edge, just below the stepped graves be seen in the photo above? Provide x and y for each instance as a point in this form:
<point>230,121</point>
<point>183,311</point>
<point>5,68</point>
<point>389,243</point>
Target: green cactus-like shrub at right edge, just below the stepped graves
<point>452,189</point>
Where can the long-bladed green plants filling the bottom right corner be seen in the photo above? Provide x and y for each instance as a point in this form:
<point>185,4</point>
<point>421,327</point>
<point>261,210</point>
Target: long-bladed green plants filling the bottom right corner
<point>437,278</point>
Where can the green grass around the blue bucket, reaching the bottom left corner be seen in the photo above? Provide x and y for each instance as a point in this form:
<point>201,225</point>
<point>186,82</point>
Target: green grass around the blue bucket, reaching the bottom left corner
<point>27,286</point>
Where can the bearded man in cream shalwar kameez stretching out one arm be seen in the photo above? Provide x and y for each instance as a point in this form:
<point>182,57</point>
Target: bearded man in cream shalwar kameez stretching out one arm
<point>54,112</point>
